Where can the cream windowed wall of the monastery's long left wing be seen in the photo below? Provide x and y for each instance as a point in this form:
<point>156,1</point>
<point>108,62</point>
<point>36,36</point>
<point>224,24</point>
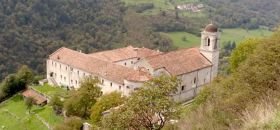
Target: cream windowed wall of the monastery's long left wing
<point>71,77</point>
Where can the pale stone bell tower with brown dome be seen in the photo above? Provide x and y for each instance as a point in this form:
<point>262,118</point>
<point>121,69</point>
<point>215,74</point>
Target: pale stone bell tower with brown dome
<point>209,47</point>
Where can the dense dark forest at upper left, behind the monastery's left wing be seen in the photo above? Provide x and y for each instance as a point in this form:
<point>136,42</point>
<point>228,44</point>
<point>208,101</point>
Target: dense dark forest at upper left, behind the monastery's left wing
<point>32,29</point>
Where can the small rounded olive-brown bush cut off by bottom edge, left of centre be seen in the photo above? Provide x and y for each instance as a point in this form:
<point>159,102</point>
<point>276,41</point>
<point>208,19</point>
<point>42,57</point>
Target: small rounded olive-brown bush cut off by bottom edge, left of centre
<point>71,123</point>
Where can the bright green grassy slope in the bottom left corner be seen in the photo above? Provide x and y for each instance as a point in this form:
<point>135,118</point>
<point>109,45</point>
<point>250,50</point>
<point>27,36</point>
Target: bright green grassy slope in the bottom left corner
<point>20,119</point>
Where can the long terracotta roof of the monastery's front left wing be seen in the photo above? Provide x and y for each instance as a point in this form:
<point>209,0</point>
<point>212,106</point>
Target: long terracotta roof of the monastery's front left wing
<point>104,69</point>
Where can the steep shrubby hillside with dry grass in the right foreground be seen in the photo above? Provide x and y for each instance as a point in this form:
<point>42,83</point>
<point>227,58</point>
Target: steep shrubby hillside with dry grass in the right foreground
<point>248,98</point>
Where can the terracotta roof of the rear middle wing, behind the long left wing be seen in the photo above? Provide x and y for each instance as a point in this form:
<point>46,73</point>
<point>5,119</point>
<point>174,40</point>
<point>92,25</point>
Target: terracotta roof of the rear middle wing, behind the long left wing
<point>124,53</point>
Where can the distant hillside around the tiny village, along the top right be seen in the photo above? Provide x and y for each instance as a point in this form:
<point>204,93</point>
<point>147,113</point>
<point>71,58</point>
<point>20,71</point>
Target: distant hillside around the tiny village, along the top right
<point>226,13</point>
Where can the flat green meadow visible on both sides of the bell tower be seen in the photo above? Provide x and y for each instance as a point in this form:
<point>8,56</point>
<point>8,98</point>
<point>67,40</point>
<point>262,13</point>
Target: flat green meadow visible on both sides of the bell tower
<point>236,35</point>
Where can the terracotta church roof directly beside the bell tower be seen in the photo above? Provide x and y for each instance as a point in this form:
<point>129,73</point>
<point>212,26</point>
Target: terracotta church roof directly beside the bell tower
<point>180,62</point>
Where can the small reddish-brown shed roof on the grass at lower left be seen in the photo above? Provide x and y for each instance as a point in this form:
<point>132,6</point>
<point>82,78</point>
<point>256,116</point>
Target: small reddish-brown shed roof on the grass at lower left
<point>39,99</point>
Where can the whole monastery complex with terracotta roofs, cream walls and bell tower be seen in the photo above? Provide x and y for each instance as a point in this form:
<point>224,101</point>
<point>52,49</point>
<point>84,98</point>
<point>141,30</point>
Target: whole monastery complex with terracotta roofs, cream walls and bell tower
<point>126,69</point>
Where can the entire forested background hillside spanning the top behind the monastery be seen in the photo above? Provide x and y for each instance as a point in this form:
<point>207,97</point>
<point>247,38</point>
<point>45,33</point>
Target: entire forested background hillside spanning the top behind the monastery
<point>32,29</point>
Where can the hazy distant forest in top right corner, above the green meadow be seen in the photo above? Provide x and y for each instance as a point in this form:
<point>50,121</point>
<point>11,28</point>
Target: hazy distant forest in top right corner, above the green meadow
<point>248,14</point>
